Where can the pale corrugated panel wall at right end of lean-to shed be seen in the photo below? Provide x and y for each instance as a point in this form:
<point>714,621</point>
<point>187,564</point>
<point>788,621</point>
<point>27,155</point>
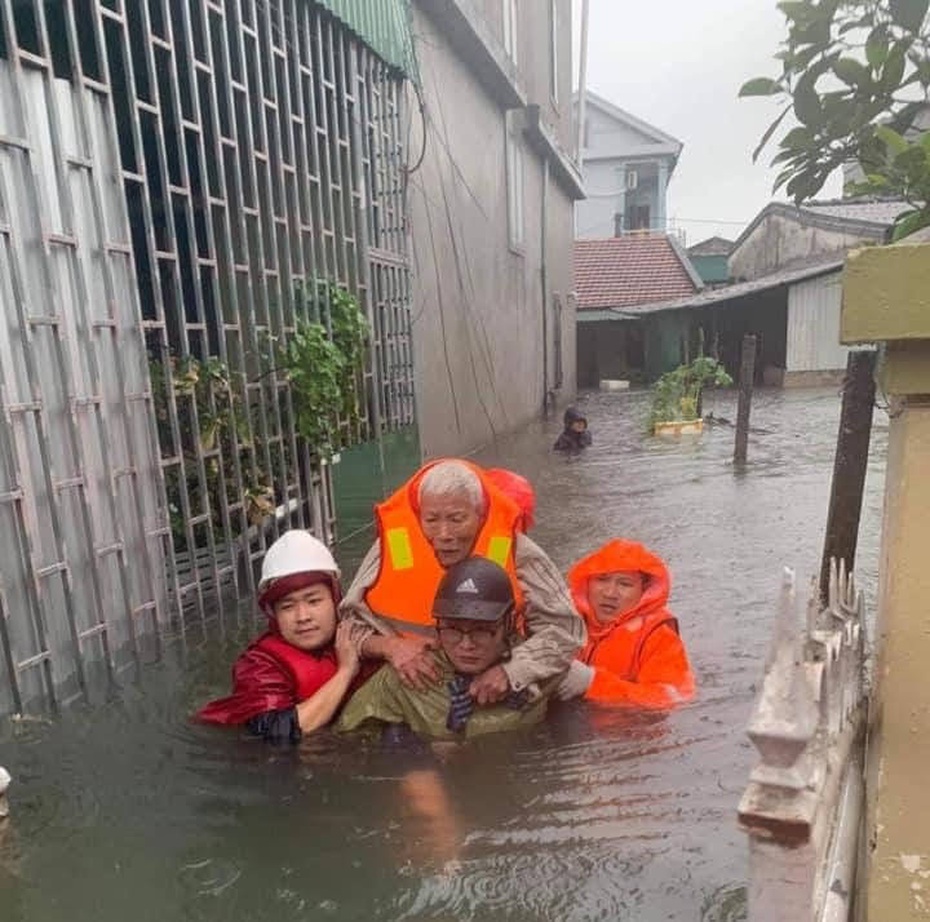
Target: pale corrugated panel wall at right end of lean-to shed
<point>814,326</point>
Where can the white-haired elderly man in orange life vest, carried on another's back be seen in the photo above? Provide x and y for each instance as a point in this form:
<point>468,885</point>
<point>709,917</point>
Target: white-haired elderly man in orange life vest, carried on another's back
<point>448,511</point>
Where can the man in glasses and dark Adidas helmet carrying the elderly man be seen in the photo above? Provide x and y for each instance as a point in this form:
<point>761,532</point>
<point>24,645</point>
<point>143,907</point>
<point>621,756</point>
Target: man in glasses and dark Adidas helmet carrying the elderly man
<point>473,611</point>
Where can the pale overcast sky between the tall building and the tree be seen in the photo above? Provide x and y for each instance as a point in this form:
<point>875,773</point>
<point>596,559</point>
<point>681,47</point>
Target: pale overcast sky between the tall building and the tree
<point>678,64</point>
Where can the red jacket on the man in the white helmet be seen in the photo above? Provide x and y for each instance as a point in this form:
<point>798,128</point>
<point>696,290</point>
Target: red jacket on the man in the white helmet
<point>271,675</point>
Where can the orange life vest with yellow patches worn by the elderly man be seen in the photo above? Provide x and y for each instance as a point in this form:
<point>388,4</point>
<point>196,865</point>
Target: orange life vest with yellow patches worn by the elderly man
<point>410,574</point>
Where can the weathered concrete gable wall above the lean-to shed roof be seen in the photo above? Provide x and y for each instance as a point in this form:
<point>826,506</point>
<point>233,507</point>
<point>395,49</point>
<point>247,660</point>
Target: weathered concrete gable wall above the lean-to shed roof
<point>779,239</point>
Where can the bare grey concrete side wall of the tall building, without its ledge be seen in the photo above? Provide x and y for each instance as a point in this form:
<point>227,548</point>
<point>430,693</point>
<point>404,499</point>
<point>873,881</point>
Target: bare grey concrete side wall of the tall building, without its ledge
<point>481,367</point>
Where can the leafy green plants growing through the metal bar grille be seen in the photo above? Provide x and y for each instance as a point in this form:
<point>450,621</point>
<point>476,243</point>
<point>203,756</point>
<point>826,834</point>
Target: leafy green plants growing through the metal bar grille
<point>325,372</point>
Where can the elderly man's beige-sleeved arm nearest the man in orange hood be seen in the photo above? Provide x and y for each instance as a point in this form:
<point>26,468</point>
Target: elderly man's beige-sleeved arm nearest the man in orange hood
<point>555,631</point>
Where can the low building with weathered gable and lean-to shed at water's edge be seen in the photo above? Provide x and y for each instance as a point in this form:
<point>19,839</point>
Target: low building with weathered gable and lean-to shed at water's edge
<point>787,266</point>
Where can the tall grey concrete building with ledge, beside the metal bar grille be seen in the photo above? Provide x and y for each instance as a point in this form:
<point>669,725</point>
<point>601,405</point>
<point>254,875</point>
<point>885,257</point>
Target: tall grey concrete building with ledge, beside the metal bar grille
<point>491,194</point>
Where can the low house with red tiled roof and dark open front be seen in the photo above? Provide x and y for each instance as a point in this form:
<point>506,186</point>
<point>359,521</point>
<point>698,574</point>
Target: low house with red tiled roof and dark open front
<point>615,278</point>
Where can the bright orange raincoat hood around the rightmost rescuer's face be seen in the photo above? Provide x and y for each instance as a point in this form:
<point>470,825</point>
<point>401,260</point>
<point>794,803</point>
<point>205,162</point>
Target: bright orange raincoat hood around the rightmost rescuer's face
<point>613,556</point>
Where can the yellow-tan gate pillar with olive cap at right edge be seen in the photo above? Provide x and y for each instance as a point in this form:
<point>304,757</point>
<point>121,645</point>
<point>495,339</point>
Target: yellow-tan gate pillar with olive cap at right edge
<point>886,298</point>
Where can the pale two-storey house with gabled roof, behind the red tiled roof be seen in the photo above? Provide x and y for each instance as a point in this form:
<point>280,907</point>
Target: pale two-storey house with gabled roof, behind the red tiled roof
<point>626,168</point>
